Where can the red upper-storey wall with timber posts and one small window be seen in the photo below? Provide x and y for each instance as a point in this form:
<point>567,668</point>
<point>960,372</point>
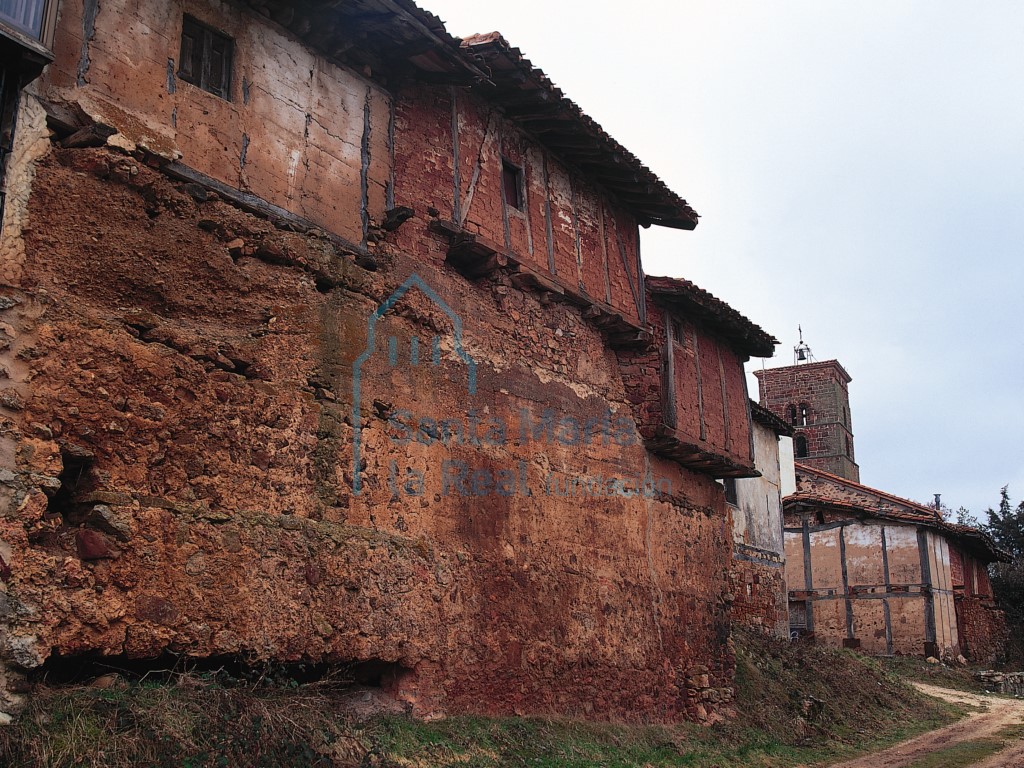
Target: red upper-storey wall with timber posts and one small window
<point>568,230</point>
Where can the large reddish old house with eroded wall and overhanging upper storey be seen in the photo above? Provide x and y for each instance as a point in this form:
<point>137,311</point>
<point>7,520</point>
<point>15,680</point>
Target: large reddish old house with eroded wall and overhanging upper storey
<point>328,339</point>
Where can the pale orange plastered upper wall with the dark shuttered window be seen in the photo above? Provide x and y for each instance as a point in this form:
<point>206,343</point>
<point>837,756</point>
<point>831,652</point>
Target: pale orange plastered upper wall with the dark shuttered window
<point>298,132</point>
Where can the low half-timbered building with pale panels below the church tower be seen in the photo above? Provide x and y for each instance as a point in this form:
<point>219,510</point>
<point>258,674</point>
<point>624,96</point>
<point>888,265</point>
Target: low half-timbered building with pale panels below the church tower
<point>870,571</point>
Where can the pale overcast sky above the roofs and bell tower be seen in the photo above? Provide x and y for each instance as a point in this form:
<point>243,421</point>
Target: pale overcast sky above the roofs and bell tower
<point>860,170</point>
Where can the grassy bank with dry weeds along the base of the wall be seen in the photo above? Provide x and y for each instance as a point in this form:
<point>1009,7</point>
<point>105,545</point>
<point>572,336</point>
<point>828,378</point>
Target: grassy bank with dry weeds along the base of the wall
<point>195,721</point>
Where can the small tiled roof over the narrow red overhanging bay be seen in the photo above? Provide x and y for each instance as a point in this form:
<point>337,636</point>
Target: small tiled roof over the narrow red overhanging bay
<point>698,304</point>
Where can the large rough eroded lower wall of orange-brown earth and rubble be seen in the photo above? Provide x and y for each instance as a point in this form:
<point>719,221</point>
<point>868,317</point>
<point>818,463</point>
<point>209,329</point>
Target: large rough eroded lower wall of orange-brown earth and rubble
<point>180,429</point>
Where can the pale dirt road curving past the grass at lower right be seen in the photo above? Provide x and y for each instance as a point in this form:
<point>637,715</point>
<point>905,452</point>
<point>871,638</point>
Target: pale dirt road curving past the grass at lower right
<point>998,714</point>
